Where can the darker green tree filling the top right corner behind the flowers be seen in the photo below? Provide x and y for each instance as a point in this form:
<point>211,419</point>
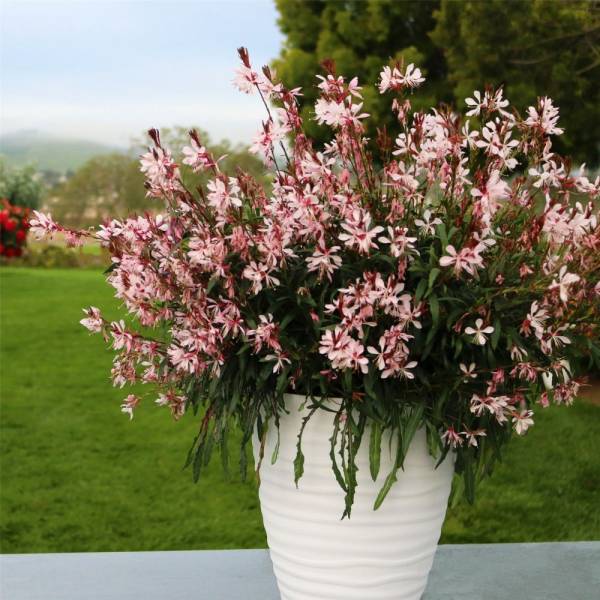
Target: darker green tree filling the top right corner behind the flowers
<point>534,48</point>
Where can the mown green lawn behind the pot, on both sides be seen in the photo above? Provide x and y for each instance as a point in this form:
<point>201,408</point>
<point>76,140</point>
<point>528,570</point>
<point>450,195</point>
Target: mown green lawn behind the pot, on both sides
<point>76,475</point>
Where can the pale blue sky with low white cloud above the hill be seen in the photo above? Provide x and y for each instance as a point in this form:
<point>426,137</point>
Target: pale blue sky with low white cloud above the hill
<point>108,70</point>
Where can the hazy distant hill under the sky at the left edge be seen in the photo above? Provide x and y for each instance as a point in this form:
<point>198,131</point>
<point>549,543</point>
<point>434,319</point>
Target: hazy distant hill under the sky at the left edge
<point>49,152</point>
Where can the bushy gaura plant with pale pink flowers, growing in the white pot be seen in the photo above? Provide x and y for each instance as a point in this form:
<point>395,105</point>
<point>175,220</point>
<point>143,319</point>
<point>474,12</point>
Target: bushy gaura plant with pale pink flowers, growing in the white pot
<point>445,278</point>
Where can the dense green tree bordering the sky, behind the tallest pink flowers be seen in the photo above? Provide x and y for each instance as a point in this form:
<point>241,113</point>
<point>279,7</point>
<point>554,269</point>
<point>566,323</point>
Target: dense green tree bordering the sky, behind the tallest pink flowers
<point>360,36</point>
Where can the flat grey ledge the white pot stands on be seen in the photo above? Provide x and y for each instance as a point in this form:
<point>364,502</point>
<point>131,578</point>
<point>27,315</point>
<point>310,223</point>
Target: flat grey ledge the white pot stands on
<point>552,571</point>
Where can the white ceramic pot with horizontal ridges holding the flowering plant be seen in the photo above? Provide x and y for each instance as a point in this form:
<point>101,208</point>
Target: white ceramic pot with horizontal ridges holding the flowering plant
<point>375,555</point>
